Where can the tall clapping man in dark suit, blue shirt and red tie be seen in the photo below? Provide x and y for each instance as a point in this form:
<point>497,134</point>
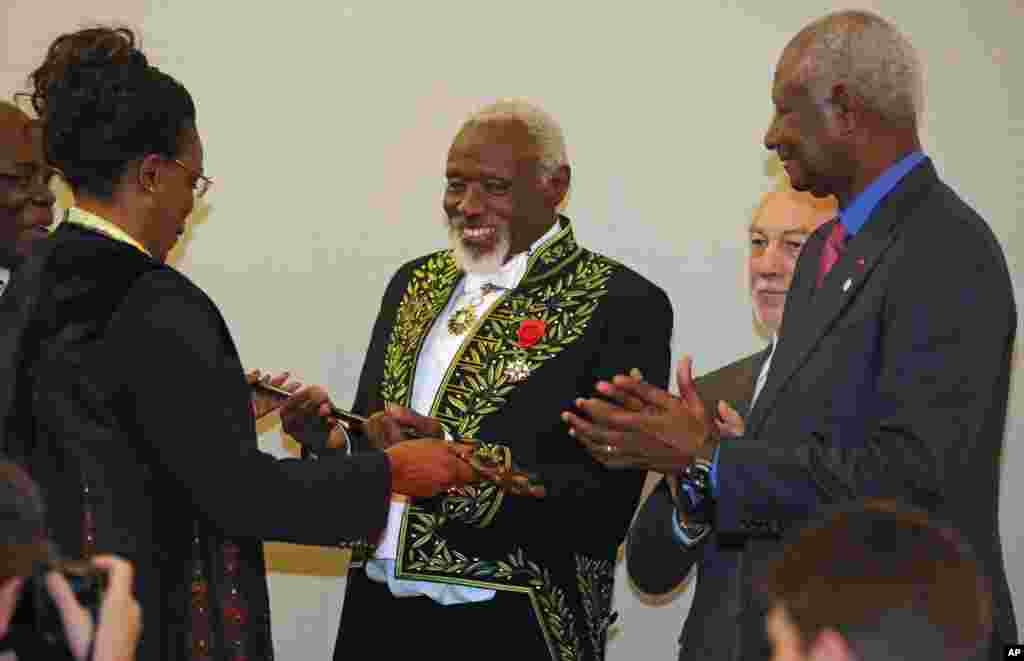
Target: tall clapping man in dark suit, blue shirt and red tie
<point>892,371</point>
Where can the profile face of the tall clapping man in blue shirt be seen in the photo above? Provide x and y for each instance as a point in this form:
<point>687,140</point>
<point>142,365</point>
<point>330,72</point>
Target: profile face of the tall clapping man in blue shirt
<point>804,133</point>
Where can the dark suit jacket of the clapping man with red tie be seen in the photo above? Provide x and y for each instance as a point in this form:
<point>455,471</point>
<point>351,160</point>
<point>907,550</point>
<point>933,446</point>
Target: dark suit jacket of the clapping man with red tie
<point>891,381</point>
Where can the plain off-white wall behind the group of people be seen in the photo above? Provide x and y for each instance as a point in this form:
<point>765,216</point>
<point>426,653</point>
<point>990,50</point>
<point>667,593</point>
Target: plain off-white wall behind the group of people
<point>327,125</point>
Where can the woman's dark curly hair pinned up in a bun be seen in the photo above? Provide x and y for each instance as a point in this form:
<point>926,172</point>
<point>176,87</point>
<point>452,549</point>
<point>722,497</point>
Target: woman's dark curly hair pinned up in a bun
<point>104,107</point>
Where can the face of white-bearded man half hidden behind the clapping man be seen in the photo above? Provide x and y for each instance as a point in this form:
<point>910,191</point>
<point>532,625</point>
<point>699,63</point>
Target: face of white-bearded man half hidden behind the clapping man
<point>782,224</point>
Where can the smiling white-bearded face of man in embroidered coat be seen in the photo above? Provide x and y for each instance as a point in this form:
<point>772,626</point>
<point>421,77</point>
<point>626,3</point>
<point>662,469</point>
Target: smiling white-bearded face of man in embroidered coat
<point>497,200</point>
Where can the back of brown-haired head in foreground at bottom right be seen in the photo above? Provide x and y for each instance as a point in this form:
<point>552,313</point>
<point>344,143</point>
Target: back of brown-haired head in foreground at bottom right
<point>878,582</point>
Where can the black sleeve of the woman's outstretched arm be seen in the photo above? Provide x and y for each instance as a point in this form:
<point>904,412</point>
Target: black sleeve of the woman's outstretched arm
<point>184,395</point>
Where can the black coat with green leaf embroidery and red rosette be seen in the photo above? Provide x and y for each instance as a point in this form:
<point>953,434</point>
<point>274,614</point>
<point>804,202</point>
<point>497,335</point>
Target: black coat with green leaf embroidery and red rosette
<point>602,320</point>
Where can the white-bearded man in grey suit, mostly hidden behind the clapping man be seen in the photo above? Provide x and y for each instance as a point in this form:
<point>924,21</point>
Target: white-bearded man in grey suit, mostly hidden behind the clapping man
<point>781,227</point>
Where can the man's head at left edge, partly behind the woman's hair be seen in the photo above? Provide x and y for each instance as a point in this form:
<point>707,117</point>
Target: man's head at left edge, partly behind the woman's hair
<point>26,199</point>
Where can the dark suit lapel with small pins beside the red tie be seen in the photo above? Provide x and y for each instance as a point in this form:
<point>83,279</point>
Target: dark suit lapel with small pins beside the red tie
<point>815,312</point>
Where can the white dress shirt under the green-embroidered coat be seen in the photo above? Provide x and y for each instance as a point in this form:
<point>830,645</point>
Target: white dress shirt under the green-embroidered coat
<point>439,350</point>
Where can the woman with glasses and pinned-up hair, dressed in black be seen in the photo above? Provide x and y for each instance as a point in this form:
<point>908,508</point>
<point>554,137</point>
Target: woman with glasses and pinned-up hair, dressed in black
<point>141,423</point>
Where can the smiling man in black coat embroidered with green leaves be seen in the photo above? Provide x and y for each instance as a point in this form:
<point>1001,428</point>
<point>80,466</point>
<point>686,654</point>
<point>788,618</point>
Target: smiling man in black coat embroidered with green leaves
<point>491,340</point>
